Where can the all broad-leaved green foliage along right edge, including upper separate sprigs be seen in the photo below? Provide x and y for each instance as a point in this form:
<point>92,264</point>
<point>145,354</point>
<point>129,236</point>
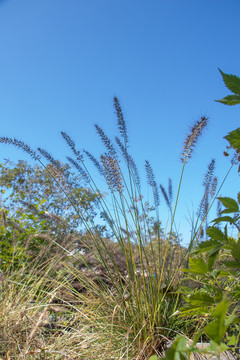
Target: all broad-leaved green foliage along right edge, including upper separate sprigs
<point>214,266</point>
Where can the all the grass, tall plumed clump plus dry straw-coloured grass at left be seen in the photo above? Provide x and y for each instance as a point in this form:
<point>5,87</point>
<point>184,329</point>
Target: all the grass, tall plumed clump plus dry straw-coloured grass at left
<point>128,280</point>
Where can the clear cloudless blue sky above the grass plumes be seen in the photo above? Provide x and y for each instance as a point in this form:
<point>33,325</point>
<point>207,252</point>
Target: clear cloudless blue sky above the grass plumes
<point>62,61</point>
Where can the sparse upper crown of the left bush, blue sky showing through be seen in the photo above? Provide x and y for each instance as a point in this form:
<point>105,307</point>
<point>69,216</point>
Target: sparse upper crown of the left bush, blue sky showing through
<point>35,191</point>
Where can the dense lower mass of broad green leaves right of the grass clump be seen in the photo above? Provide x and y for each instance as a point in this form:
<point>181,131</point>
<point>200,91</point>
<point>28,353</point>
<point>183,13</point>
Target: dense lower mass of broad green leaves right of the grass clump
<point>218,279</point>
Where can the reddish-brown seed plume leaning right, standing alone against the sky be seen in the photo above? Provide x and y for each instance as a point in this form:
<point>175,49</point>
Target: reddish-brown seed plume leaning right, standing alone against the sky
<point>192,138</point>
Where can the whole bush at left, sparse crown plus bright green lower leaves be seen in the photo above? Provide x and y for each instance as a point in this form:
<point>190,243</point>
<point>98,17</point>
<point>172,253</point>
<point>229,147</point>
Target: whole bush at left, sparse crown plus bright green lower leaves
<point>34,210</point>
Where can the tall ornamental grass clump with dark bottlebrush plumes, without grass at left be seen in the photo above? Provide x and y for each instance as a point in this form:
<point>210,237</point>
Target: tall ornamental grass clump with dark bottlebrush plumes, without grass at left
<point>130,274</point>
